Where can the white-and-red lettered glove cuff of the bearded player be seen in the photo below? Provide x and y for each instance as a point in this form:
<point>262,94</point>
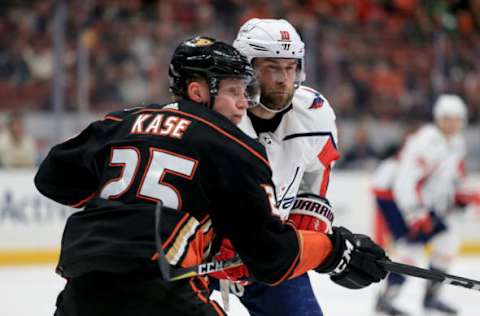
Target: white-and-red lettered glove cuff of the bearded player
<point>312,212</point>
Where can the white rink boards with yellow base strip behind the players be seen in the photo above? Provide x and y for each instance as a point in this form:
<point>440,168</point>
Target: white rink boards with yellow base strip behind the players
<point>31,225</point>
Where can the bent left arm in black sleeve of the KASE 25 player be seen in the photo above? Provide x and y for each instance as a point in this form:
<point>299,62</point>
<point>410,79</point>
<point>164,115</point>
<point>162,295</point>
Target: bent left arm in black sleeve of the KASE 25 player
<point>68,174</point>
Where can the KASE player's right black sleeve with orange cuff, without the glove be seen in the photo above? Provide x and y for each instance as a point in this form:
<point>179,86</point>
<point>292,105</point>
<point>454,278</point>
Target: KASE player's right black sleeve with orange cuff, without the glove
<point>244,212</point>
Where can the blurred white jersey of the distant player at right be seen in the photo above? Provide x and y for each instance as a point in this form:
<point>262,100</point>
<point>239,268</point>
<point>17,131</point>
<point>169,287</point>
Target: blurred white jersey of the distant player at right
<point>426,173</point>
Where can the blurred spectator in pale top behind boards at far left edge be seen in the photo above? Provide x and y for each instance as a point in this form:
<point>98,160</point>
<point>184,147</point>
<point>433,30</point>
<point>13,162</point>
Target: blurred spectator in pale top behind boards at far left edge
<point>17,148</point>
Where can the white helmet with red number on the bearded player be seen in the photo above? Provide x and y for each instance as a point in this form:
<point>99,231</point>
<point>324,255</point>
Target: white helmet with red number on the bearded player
<point>271,38</point>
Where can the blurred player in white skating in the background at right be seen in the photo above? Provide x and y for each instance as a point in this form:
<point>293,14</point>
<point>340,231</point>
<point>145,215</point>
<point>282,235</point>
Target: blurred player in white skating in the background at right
<point>417,194</point>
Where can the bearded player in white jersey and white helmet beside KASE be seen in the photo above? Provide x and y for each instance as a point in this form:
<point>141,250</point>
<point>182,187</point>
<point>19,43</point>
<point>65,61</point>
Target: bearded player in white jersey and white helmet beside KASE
<point>297,127</point>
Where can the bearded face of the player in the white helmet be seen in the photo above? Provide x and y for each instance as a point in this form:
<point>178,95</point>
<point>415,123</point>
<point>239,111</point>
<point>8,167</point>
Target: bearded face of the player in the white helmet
<point>277,78</point>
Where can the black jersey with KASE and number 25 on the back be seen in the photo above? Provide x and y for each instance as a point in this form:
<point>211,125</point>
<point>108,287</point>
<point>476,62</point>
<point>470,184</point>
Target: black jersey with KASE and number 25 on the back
<point>214,180</point>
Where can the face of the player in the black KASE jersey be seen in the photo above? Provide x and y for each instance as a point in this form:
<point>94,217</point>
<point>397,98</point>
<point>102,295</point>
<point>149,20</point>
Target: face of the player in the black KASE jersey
<point>230,100</point>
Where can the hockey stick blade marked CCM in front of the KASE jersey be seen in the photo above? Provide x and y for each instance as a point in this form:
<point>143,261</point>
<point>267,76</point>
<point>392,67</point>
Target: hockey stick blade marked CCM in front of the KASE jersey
<point>171,273</point>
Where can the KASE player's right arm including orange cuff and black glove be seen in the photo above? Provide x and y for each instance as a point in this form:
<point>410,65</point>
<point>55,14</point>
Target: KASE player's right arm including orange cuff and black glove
<point>271,250</point>
